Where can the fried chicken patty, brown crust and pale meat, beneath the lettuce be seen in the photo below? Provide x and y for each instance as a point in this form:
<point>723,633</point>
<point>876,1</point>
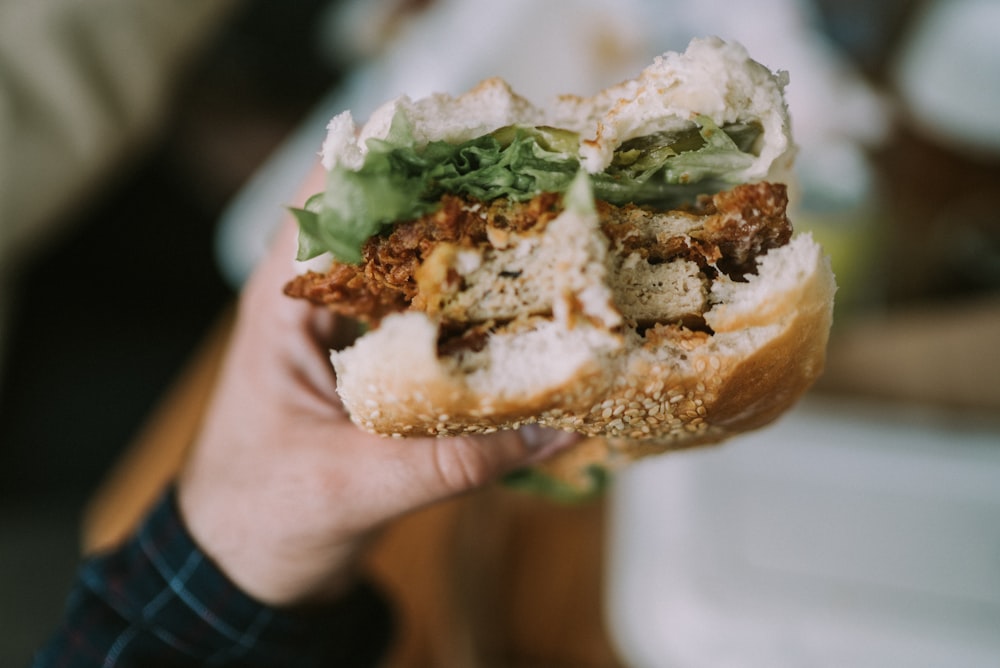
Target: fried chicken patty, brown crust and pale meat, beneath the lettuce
<point>475,267</point>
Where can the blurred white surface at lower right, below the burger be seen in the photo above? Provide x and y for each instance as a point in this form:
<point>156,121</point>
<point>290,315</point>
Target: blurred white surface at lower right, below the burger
<point>845,535</point>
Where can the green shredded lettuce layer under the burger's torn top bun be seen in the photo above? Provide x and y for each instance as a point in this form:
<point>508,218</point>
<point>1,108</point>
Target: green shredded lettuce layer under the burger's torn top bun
<point>399,181</point>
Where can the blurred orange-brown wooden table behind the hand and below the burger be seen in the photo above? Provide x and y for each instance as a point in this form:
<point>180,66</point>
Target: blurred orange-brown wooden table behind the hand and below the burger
<point>495,578</point>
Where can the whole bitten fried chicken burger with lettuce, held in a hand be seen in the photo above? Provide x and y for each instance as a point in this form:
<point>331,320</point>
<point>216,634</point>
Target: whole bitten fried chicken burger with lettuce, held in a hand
<point>620,265</point>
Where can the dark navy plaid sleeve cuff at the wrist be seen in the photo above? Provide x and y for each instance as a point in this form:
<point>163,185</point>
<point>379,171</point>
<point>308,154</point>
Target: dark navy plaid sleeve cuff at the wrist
<point>159,601</point>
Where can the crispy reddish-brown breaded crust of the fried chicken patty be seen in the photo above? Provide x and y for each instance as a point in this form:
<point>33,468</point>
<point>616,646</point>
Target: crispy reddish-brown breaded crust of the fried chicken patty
<point>723,233</point>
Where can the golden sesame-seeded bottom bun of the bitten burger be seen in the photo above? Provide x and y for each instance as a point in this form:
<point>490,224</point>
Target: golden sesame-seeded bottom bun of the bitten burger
<point>638,392</point>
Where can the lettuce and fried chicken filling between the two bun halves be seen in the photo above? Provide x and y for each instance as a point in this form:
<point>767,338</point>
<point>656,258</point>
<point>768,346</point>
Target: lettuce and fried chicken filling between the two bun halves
<point>458,230</point>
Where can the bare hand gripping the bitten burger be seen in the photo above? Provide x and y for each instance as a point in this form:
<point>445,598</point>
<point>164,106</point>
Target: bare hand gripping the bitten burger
<point>282,489</point>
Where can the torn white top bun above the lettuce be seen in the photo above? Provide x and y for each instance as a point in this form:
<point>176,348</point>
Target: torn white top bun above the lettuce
<point>713,78</point>
